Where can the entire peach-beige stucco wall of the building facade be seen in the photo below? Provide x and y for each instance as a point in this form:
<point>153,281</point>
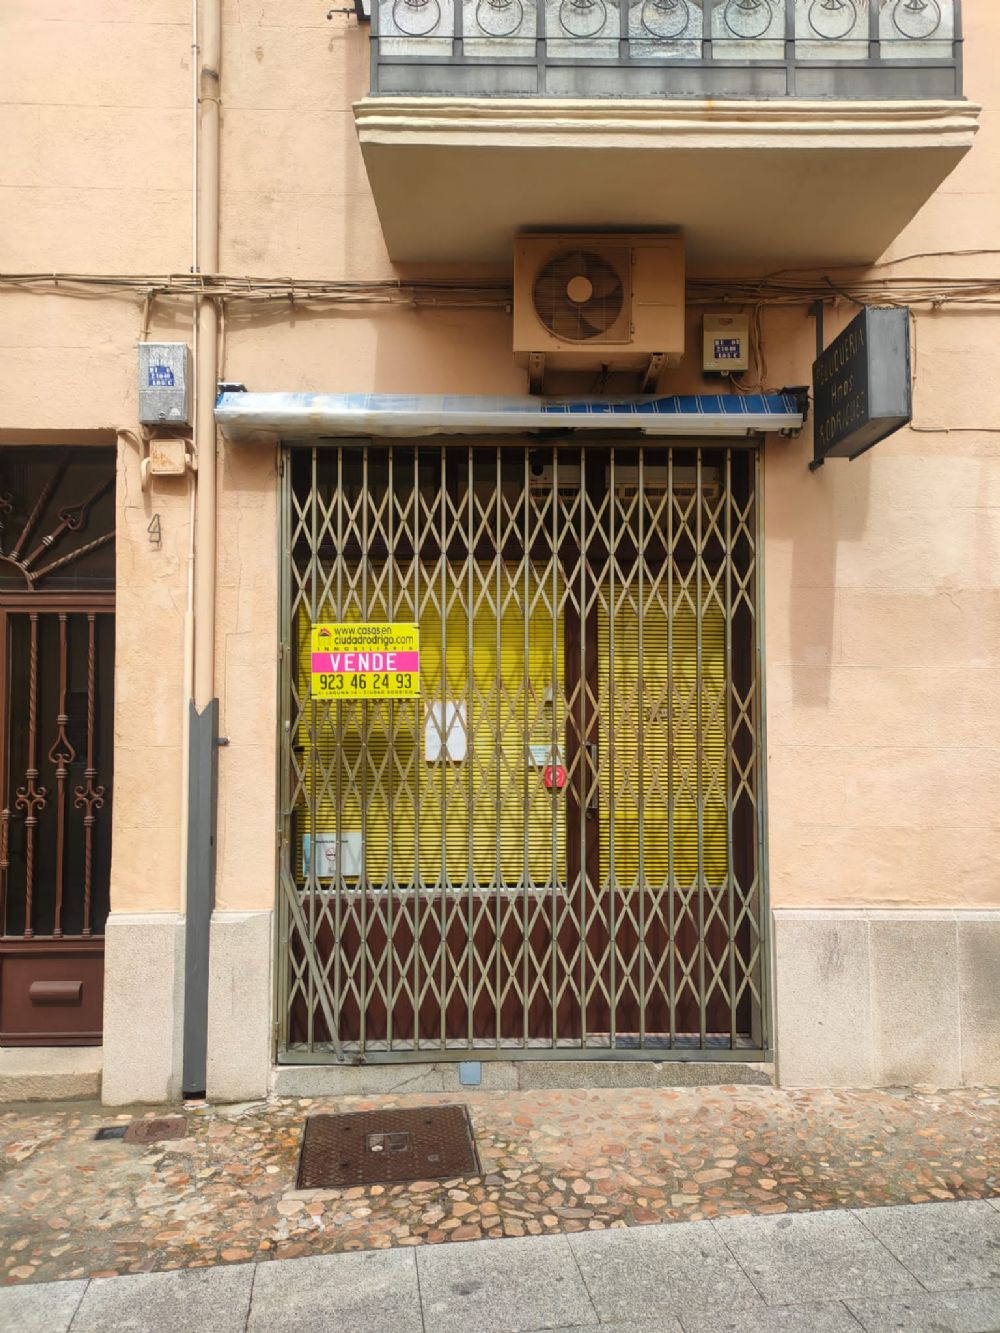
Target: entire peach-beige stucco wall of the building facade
<point>883,577</point>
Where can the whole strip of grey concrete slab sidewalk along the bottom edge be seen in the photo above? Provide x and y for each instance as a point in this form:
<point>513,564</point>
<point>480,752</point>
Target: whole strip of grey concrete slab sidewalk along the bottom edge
<point>749,1275</point>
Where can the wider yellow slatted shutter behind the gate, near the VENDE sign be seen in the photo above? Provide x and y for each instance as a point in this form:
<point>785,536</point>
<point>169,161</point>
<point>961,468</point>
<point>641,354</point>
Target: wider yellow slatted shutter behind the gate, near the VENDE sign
<point>494,804</point>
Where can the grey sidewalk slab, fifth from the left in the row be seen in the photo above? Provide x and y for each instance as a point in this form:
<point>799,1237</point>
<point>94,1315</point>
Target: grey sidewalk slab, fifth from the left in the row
<point>650,1272</point>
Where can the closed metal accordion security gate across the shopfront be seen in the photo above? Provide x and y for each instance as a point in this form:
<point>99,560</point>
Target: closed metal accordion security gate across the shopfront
<point>557,850</point>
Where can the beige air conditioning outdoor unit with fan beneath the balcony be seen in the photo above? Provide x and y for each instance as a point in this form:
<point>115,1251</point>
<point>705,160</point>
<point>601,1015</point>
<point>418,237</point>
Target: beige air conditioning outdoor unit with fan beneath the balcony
<point>585,302</point>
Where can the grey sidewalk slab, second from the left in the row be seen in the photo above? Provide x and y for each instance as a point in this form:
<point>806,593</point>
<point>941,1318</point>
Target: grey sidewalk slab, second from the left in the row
<point>187,1302</point>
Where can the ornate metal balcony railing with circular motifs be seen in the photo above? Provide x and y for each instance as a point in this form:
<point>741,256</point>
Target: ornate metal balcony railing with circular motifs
<point>669,49</point>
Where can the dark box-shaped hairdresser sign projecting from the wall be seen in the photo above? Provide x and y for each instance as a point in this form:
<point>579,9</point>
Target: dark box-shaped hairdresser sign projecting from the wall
<point>861,385</point>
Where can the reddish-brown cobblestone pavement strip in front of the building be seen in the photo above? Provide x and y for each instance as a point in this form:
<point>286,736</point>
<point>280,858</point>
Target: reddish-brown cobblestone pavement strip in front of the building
<point>553,1162</point>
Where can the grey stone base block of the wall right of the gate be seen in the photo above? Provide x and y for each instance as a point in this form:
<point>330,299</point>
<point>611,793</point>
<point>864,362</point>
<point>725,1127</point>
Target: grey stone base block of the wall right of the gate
<point>887,998</point>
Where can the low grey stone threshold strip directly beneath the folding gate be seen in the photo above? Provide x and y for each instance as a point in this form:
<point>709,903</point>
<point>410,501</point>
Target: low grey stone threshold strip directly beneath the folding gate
<point>510,1076</point>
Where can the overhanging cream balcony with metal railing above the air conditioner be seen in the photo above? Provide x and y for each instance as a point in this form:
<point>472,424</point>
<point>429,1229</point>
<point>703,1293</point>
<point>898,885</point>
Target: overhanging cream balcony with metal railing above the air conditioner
<point>774,133</point>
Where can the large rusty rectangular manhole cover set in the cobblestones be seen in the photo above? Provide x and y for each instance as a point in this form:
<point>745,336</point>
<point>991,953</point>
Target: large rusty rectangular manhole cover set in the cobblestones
<point>387,1147</point>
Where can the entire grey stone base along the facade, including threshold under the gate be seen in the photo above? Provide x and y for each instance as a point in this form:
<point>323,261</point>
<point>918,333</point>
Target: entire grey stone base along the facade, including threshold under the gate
<point>862,999</point>
